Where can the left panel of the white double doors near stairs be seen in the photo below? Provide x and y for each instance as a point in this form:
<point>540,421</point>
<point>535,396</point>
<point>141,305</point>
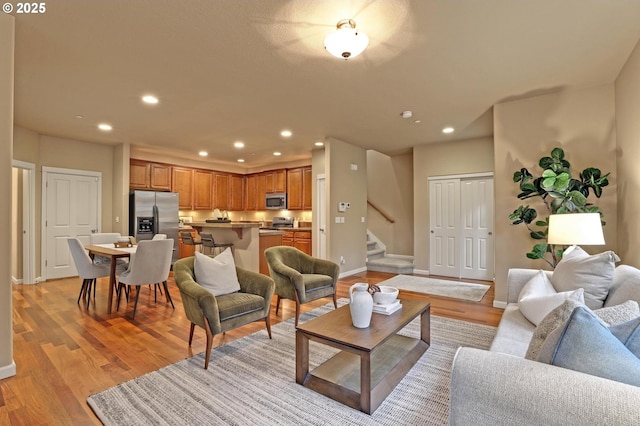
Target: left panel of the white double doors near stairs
<point>444,216</point>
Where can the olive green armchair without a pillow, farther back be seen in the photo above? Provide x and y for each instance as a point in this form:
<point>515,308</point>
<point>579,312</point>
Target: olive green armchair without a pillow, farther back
<point>300,277</point>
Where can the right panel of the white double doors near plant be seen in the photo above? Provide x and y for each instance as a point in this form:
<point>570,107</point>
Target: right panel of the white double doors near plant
<point>476,198</point>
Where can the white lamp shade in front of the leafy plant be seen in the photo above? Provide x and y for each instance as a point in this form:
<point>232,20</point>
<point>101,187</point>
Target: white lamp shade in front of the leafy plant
<point>575,229</point>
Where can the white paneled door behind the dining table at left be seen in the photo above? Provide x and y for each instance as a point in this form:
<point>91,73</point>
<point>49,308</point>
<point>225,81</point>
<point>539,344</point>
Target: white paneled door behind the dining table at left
<point>71,208</point>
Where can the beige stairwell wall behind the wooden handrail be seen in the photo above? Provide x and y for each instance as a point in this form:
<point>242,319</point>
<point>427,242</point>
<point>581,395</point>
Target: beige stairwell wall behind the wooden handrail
<point>390,188</point>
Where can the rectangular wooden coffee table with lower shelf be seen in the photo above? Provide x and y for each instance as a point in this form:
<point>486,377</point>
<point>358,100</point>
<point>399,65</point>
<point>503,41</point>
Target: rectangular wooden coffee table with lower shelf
<point>372,361</point>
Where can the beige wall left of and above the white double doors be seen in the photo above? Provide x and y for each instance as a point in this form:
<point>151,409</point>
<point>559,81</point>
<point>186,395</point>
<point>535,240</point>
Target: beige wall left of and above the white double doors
<point>442,159</point>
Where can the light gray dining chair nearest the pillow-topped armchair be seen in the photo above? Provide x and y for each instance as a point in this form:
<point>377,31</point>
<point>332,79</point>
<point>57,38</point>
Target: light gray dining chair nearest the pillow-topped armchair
<point>150,265</point>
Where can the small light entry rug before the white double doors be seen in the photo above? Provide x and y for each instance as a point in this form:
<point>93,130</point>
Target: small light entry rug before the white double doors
<point>455,289</point>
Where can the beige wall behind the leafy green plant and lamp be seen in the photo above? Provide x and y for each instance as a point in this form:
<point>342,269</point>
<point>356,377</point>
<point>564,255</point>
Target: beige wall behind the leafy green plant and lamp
<point>582,122</point>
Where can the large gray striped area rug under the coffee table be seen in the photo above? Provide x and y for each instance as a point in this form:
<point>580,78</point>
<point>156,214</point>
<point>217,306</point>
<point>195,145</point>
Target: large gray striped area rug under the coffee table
<point>251,381</point>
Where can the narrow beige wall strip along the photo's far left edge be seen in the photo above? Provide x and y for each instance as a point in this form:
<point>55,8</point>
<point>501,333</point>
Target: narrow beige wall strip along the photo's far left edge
<point>7,31</point>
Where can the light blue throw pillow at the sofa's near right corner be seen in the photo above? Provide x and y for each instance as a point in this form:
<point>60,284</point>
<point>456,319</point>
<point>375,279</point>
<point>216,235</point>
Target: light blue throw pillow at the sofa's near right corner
<point>586,345</point>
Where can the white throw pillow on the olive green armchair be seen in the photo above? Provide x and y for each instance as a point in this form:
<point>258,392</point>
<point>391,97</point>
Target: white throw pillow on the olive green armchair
<point>217,274</point>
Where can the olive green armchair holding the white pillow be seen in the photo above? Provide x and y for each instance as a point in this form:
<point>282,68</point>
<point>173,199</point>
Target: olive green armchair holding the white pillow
<point>217,314</point>
